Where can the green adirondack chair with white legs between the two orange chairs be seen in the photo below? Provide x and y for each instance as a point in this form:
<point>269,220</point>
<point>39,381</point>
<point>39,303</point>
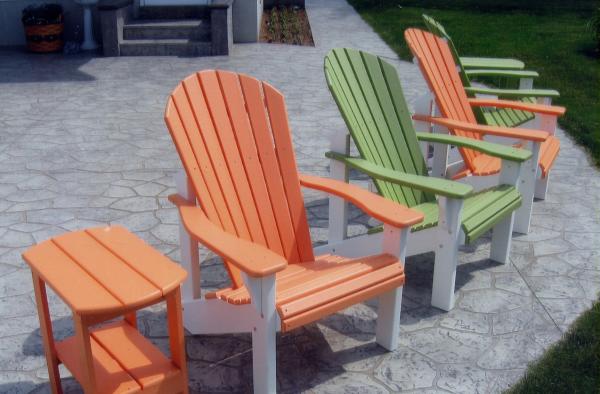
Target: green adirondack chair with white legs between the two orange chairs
<point>368,93</point>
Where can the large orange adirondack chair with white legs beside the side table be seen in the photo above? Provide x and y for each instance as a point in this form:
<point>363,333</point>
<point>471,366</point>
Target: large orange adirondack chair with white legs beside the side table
<point>240,196</point>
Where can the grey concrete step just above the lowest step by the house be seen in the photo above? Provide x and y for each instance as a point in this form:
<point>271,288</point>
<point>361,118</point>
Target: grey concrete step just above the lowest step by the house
<point>148,29</point>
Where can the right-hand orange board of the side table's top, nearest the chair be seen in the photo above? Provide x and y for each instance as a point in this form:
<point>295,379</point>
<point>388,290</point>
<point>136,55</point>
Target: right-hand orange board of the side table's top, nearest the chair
<point>147,261</point>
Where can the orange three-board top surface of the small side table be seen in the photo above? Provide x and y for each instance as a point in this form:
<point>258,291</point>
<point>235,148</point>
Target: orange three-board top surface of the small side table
<point>103,269</point>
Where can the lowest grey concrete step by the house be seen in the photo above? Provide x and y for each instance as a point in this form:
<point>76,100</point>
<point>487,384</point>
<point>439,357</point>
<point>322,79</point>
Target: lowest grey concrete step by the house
<point>165,47</point>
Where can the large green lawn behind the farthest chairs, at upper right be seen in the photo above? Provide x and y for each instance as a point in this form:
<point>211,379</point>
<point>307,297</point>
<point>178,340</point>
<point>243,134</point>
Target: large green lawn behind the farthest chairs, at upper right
<point>551,40</point>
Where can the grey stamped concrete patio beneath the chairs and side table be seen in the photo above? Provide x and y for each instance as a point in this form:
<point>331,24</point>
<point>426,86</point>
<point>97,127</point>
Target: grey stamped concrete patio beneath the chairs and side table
<point>82,143</point>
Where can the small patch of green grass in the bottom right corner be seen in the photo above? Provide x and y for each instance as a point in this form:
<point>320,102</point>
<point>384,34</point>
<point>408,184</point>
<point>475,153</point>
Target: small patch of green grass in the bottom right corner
<point>570,366</point>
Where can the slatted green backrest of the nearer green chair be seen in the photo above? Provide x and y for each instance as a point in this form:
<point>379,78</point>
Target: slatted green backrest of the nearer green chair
<point>368,93</point>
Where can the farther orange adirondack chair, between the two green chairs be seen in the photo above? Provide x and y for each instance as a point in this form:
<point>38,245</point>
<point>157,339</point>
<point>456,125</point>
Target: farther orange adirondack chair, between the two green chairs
<point>440,71</point>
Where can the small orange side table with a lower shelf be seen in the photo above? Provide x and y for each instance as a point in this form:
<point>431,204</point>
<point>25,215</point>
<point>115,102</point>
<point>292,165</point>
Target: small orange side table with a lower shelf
<point>104,273</point>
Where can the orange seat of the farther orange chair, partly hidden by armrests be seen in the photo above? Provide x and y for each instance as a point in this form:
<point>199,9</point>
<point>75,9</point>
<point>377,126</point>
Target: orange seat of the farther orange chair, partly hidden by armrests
<point>488,165</point>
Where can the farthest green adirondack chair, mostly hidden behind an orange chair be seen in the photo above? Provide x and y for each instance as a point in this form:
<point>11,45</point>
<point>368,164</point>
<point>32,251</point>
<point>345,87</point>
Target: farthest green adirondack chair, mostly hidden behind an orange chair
<point>505,69</point>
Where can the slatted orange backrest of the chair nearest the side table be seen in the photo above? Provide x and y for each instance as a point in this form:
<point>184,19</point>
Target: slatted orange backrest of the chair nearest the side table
<point>233,137</point>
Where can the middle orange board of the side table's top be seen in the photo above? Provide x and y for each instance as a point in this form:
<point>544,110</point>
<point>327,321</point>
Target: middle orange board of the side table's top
<point>124,283</point>
